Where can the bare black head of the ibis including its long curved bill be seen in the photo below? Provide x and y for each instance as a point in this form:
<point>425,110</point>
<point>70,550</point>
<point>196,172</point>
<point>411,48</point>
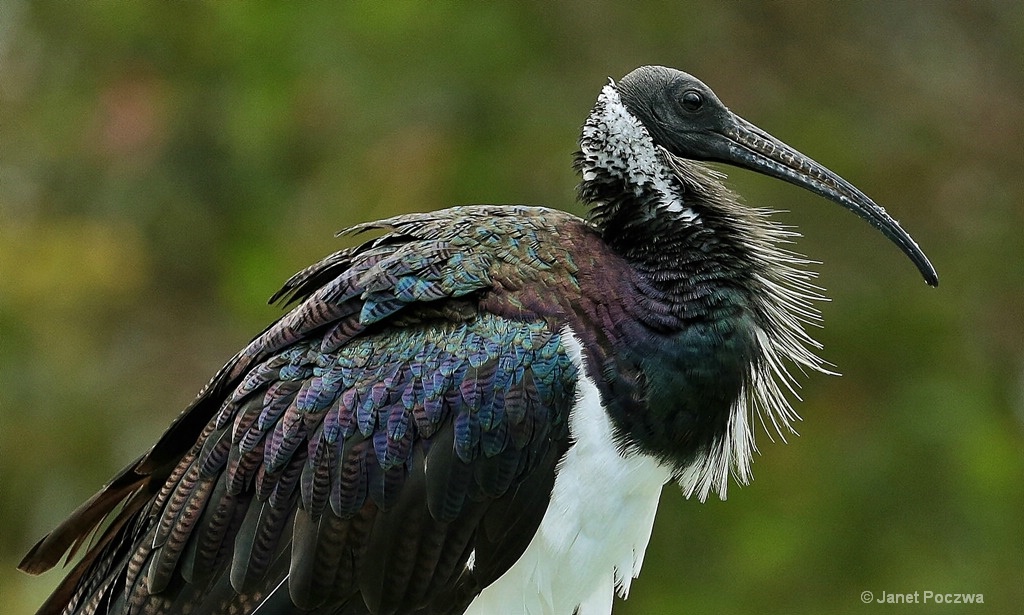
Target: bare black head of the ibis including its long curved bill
<point>688,121</point>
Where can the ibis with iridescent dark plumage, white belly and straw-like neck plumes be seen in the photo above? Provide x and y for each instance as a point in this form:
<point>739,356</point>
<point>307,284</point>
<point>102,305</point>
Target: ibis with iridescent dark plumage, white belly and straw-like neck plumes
<point>477,410</point>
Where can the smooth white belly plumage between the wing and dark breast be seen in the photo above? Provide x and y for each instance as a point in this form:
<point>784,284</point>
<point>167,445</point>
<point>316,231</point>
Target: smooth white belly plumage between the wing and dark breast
<point>594,534</point>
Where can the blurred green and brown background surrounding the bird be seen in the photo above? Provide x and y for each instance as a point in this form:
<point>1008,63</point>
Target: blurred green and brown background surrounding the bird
<point>164,167</point>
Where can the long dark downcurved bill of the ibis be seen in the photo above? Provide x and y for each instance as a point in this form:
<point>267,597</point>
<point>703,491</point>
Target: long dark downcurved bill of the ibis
<point>754,149</point>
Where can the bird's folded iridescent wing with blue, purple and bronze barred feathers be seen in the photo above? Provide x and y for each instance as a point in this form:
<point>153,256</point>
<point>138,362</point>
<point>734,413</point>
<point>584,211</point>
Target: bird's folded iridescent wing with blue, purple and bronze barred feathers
<point>387,447</point>
